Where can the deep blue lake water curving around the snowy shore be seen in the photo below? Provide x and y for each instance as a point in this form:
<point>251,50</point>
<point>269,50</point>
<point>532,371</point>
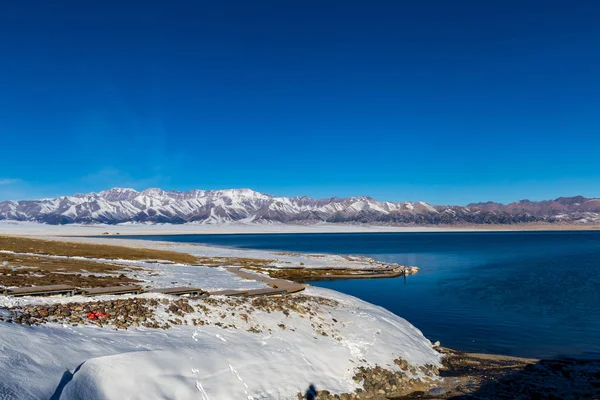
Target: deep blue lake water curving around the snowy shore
<point>530,294</point>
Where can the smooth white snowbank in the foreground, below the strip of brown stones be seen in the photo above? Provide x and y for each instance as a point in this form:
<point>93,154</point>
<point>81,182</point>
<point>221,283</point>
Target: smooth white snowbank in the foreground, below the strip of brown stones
<point>208,362</point>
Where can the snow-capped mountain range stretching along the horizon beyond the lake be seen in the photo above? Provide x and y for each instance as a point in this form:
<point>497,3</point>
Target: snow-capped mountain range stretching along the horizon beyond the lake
<point>244,205</point>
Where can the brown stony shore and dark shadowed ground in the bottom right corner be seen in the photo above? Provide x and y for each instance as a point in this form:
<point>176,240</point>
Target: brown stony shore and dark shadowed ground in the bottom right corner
<point>480,376</point>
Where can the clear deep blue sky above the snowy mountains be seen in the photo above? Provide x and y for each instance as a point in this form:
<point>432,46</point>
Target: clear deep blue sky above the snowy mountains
<point>442,101</point>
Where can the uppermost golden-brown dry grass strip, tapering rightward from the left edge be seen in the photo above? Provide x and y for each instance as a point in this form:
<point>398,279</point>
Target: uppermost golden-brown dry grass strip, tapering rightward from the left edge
<point>59,248</point>
